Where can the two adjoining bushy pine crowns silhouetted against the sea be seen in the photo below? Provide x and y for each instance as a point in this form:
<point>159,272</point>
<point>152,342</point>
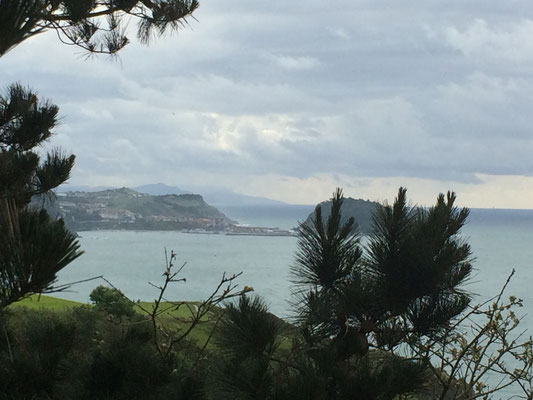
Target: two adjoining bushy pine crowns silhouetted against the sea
<point>406,283</point>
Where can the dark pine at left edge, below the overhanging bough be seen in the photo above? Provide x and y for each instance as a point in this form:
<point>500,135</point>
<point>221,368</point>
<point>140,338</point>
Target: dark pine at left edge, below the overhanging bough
<point>33,246</point>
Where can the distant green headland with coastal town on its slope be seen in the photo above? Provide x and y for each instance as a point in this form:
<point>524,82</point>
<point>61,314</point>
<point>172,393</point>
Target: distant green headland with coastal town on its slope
<point>127,209</point>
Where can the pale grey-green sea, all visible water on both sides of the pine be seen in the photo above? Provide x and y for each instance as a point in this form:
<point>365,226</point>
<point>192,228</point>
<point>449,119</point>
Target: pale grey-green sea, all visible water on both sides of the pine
<point>134,261</point>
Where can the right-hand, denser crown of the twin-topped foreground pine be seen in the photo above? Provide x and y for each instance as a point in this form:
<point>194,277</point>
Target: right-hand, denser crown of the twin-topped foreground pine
<point>418,262</point>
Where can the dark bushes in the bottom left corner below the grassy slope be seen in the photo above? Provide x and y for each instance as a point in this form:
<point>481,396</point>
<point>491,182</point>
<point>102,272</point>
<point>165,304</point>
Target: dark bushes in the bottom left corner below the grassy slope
<point>81,354</point>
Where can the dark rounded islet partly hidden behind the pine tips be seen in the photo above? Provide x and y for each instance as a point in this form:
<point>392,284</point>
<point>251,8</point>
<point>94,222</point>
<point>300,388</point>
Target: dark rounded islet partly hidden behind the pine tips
<point>360,210</point>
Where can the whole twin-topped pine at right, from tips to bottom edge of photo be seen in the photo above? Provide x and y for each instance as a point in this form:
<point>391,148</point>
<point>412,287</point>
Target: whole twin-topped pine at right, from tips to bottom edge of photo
<point>357,304</point>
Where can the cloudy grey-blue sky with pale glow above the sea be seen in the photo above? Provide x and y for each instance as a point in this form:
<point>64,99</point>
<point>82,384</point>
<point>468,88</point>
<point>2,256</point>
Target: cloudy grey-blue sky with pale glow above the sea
<point>289,100</point>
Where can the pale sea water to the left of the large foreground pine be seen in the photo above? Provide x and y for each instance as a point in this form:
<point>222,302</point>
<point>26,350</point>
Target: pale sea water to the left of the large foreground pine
<point>134,261</point>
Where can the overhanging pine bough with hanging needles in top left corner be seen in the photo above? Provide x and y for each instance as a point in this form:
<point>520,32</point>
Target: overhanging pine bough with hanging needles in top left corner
<point>97,26</point>
